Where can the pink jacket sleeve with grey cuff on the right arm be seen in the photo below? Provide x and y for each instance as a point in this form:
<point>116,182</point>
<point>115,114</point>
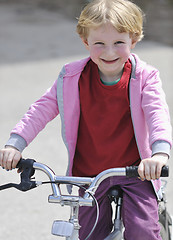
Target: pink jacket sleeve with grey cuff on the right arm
<point>156,111</point>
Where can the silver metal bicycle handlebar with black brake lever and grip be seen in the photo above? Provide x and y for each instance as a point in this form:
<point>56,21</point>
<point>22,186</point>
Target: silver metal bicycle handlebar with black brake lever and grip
<point>28,167</point>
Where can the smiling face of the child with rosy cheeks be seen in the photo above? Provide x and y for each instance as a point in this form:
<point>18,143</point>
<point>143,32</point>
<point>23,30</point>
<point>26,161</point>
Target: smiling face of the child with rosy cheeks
<point>109,49</point>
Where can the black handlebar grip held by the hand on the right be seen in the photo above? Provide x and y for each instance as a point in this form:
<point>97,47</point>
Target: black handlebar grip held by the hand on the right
<point>132,171</point>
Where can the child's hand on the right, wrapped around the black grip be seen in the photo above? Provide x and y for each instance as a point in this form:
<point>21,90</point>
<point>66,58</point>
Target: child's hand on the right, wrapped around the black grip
<point>150,168</point>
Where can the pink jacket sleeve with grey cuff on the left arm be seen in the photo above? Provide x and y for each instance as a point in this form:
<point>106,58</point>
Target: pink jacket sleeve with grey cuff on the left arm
<point>39,114</point>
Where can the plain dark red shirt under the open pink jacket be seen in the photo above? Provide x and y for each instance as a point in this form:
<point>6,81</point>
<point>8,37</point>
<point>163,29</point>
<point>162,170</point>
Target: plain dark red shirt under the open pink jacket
<point>105,135</point>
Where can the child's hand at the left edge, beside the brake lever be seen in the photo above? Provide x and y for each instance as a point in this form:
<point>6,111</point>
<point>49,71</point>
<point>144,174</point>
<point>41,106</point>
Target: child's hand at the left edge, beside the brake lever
<point>9,157</point>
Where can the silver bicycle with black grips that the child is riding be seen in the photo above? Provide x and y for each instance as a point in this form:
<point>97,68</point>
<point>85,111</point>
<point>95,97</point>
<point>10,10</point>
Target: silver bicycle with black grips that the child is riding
<point>70,229</point>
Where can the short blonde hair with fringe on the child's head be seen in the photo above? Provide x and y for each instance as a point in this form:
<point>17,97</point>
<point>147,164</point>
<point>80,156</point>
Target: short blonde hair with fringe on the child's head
<point>124,15</point>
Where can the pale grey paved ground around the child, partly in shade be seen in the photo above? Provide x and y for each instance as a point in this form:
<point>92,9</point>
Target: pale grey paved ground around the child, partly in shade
<point>34,44</point>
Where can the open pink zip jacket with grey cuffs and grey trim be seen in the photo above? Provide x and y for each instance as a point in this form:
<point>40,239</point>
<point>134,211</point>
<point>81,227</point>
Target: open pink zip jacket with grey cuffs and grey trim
<point>149,111</point>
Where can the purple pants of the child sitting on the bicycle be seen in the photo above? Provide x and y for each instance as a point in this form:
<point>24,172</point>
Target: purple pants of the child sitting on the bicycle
<point>139,211</point>
